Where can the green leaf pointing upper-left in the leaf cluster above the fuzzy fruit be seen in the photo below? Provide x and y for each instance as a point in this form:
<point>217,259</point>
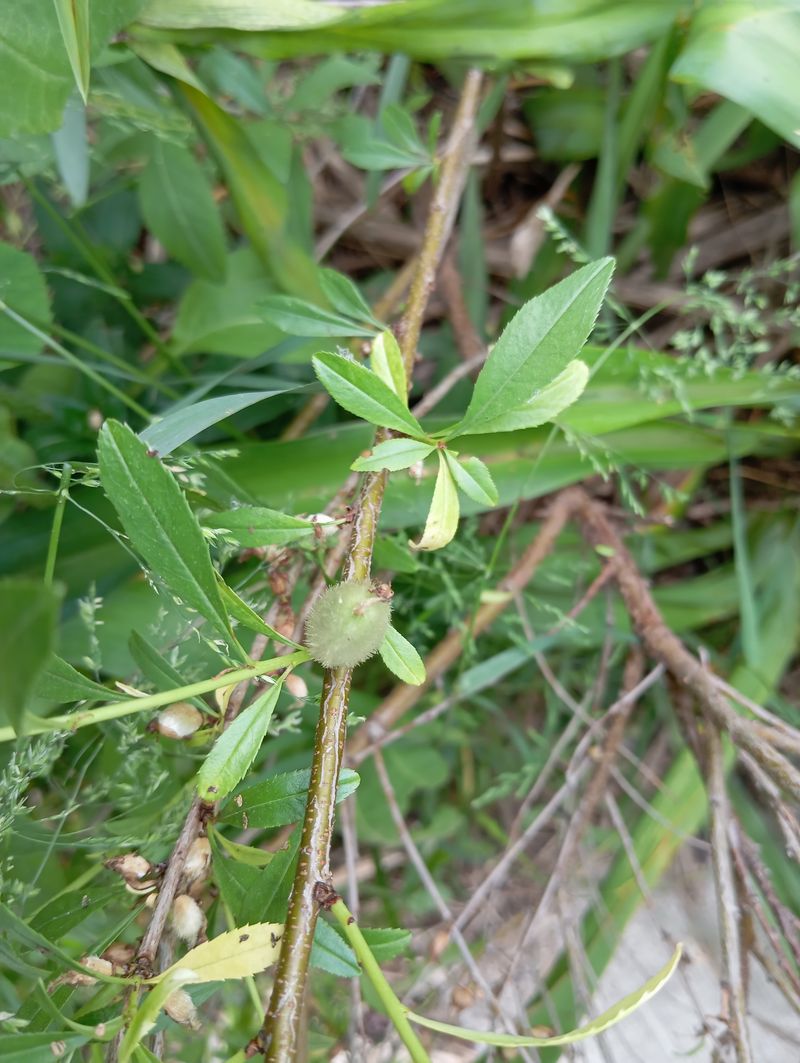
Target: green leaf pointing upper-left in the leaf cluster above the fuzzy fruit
<point>365,395</point>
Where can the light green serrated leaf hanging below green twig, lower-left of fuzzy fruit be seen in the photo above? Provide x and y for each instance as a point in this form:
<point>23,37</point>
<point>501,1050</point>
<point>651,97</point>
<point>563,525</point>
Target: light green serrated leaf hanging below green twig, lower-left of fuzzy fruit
<point>237,748</point>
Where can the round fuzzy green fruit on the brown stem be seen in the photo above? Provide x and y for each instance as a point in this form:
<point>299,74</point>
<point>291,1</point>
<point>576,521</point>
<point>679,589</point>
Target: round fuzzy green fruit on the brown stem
<point>348,625</point>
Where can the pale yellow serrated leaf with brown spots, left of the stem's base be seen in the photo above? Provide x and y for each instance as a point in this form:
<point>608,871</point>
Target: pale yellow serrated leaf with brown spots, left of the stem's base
<point>236,954</point>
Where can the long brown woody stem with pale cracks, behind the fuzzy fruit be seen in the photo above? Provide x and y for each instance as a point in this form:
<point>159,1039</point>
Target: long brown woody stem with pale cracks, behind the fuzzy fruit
<point>282,1025</point>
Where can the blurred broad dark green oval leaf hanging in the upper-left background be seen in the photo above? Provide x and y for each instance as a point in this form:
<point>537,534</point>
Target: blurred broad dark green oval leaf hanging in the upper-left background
<point>180,211</point>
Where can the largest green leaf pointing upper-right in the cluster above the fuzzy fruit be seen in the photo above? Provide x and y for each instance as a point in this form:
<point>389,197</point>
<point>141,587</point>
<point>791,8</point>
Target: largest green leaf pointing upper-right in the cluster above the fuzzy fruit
<point>538,345</point>
